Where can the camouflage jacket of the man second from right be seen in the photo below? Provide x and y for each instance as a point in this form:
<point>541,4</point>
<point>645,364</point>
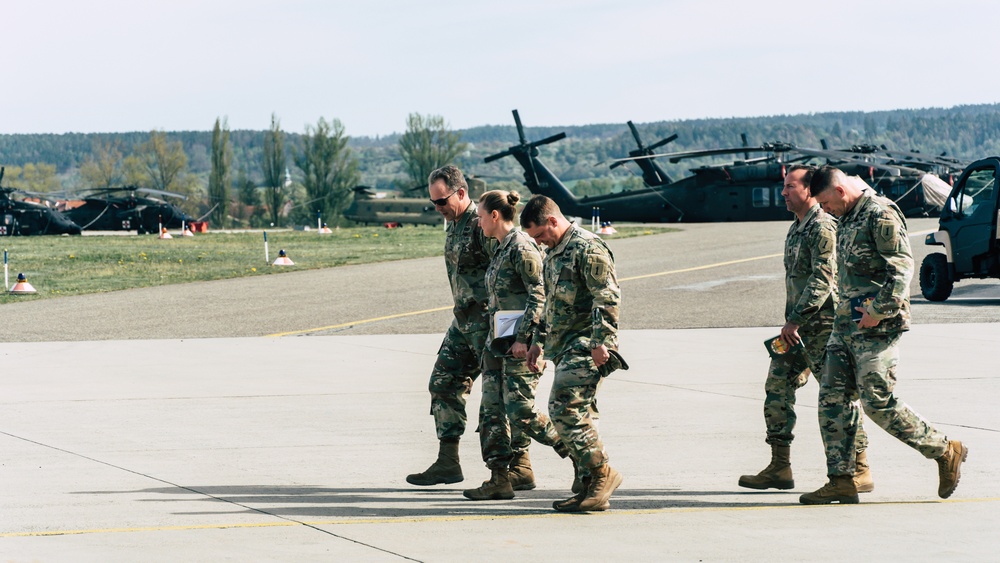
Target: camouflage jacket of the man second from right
<point>810,270</point>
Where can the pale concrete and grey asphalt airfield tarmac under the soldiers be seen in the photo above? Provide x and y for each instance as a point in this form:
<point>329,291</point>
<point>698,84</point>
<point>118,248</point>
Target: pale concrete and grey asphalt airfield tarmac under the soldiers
<point>274,418</point>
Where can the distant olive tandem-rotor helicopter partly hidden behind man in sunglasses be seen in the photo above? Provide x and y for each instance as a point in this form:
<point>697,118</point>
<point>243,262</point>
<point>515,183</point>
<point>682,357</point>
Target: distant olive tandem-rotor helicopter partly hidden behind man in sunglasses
<point>370,206</point>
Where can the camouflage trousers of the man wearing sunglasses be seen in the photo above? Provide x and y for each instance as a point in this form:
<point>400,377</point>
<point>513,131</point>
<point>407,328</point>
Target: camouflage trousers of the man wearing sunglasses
<point>456,368</point>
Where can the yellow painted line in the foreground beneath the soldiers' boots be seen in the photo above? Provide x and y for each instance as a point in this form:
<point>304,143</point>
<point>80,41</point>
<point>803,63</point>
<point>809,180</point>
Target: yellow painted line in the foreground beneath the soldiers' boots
<point>467,517</point>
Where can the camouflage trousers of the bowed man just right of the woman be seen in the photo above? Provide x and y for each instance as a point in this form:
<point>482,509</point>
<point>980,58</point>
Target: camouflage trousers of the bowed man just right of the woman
<point>571,406</point>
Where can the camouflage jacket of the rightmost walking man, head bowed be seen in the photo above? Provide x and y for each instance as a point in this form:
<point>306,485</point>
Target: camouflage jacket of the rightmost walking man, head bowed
<point>874,259</point>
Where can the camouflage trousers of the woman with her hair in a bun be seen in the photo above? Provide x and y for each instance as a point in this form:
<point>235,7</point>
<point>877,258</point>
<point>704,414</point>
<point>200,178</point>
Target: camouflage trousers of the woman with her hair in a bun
<point>507,415</point>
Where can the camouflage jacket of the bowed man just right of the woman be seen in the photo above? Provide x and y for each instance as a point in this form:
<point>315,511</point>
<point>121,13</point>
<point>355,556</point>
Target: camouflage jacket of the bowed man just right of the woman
<point>581,295</point>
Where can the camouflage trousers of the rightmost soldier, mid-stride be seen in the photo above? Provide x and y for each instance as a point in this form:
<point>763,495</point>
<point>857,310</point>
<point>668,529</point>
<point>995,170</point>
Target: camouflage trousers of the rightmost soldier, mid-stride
<point>864,366</point>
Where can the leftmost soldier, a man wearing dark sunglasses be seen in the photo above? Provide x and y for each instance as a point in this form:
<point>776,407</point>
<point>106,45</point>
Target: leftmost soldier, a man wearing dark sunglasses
<point>467,255</point>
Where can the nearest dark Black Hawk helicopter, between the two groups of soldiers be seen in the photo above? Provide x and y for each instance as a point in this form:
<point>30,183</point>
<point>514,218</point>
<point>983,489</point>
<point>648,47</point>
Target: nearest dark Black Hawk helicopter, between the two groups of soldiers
<point>743,191</point>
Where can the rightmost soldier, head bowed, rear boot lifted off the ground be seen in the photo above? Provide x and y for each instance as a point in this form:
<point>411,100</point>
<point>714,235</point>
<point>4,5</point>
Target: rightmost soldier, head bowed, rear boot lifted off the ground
<point>874,268</point>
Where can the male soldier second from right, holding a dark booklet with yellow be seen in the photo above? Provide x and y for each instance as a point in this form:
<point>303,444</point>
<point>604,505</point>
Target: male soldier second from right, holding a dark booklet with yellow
<point>810,267</point>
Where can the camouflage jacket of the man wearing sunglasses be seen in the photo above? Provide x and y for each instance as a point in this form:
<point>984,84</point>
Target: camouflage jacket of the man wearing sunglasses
<point>467,253</point>
